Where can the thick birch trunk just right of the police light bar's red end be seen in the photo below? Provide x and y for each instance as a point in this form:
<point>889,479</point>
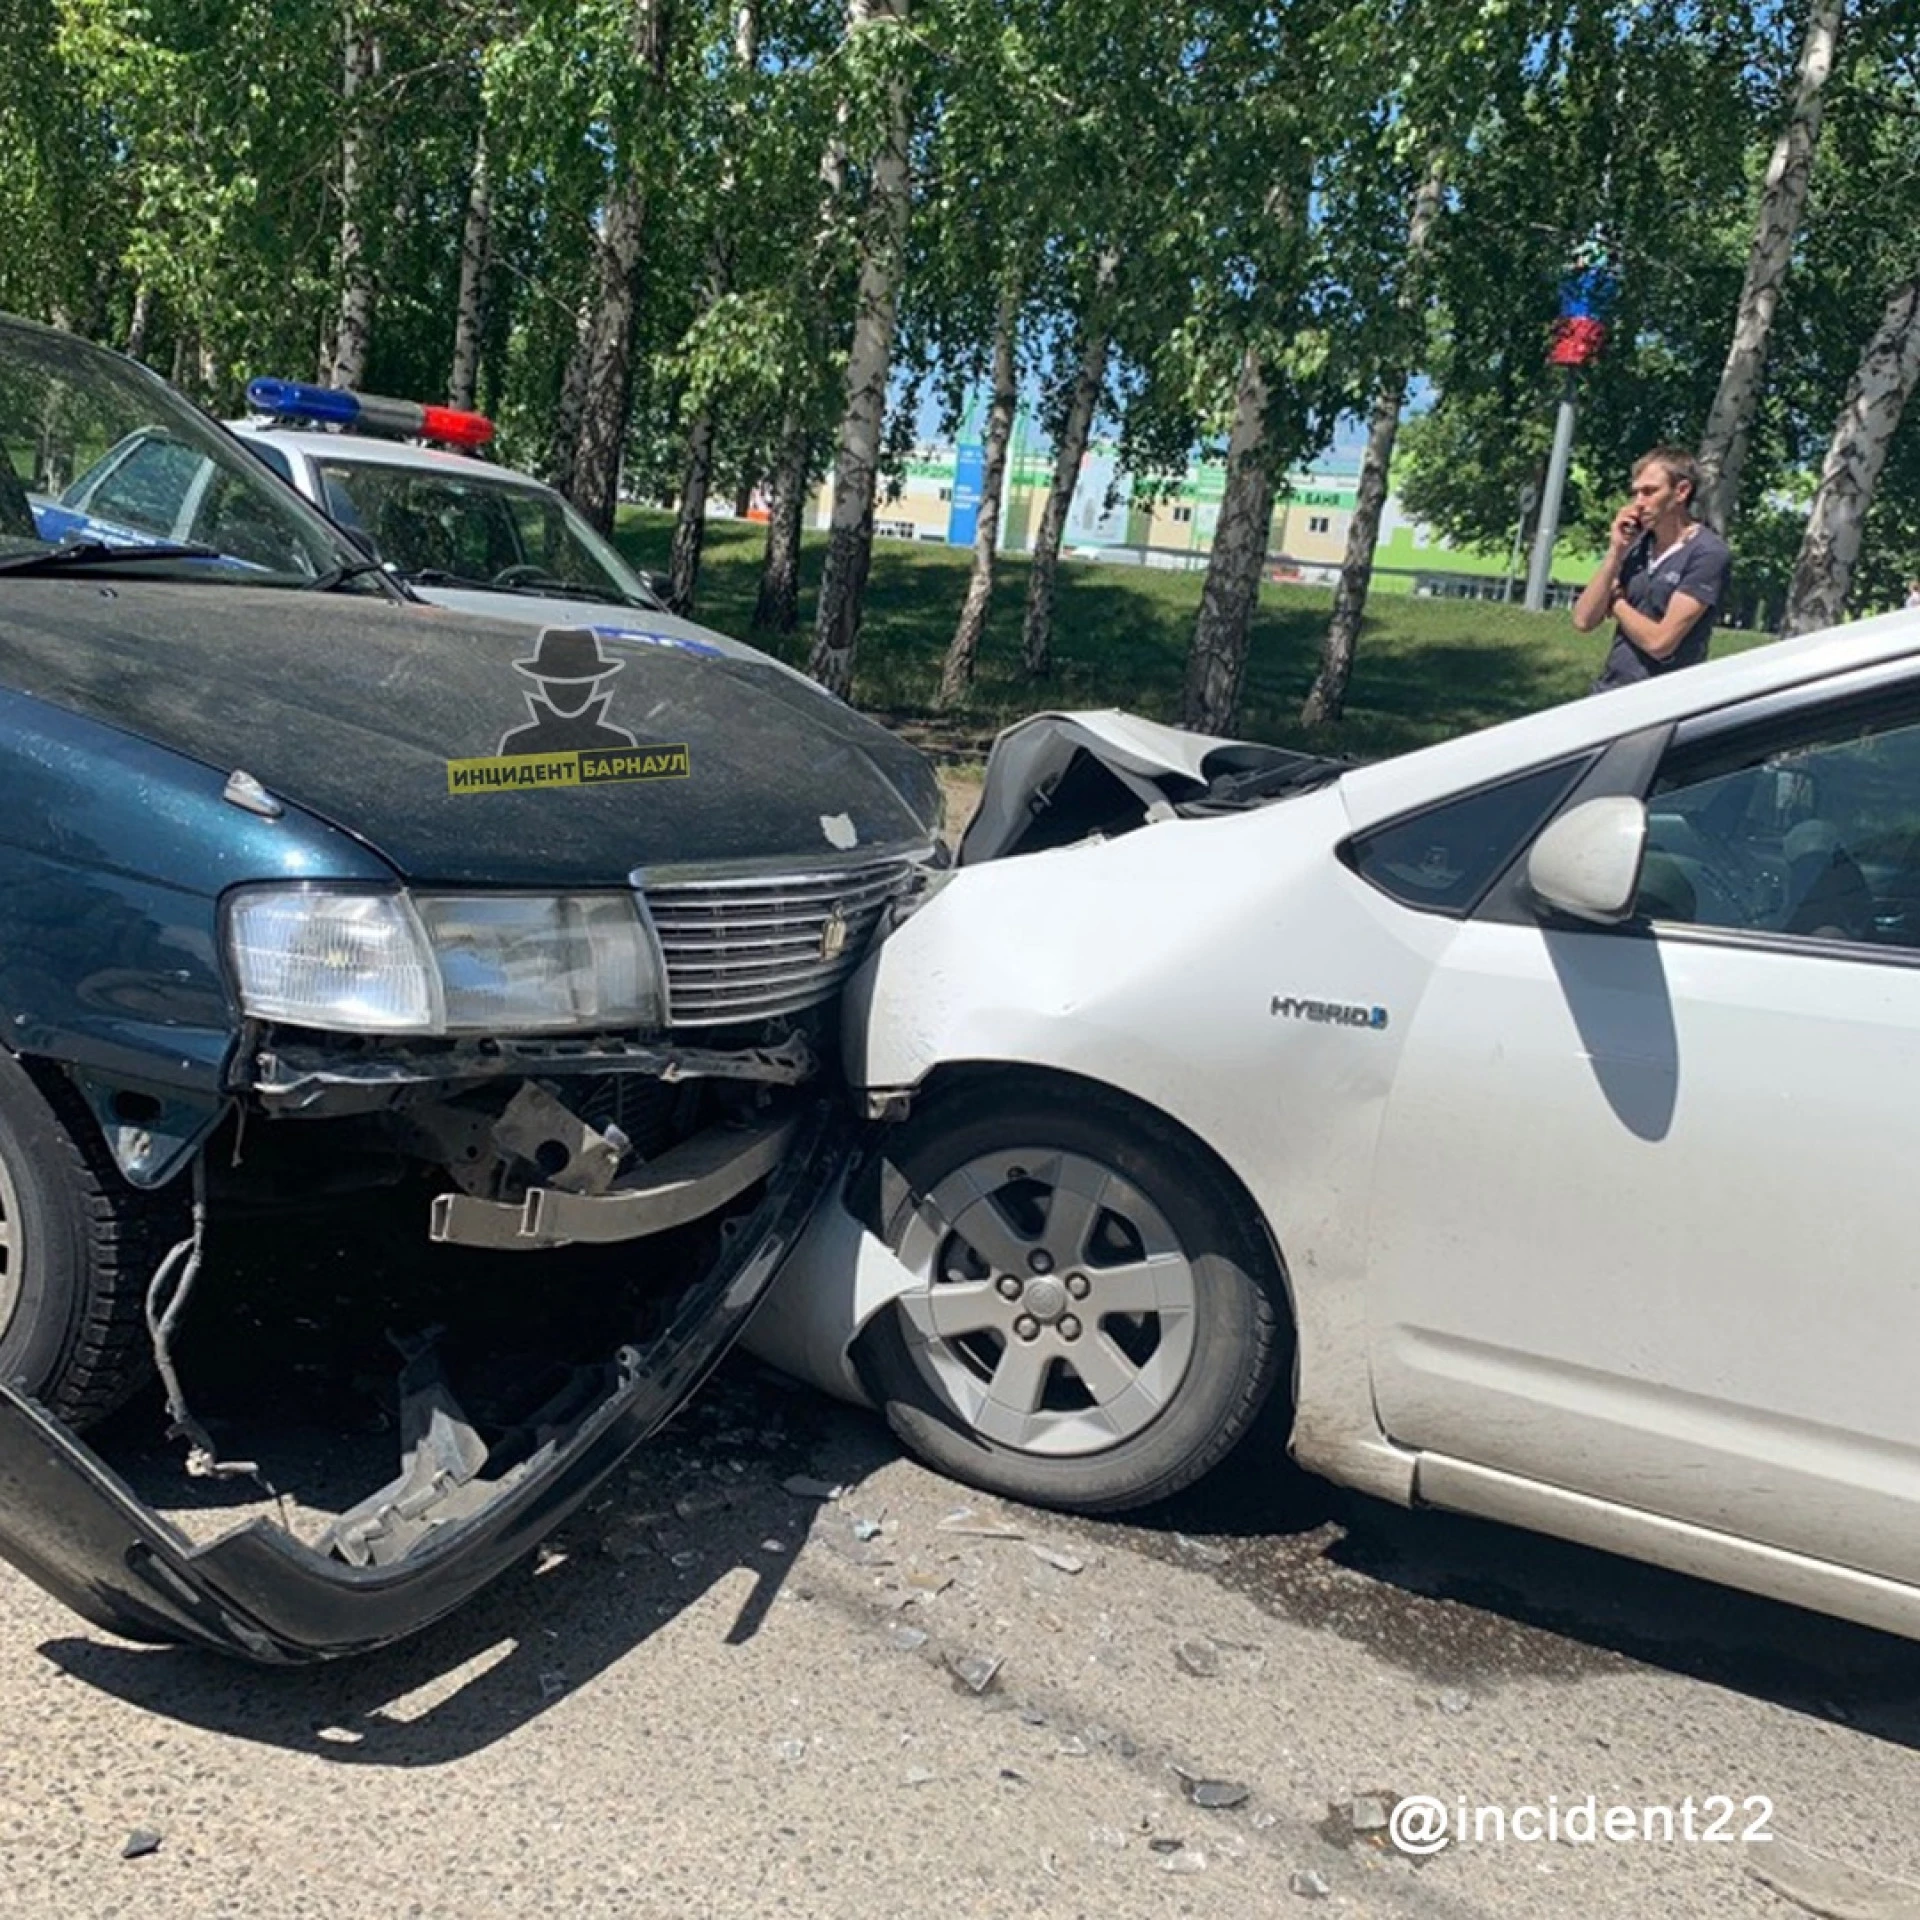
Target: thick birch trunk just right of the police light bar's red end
<point>606,352</point>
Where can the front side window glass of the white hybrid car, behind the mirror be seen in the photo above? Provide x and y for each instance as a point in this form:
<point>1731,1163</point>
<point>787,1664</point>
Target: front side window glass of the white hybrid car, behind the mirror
<point>1806,828</point>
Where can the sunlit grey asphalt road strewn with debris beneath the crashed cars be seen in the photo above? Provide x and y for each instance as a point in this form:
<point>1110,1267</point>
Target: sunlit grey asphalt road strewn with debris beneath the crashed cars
<point>721,1694</point>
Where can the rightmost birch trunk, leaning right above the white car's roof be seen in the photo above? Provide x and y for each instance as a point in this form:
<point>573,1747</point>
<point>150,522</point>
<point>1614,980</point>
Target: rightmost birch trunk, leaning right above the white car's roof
<point>1877,396</point>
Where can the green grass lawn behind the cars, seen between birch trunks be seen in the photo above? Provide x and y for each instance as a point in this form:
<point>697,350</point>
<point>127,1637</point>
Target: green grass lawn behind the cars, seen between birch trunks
<point>1426,671</point>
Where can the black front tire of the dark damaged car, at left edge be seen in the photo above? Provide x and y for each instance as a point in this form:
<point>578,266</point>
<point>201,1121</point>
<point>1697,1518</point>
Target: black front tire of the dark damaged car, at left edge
<point>76,1255</point>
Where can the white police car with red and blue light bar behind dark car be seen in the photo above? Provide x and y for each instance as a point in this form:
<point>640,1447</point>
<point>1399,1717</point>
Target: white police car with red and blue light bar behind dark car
<point>460,531</point>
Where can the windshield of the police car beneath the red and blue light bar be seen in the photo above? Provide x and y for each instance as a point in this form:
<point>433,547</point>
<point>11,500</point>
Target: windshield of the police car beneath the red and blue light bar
<point>444,527</point>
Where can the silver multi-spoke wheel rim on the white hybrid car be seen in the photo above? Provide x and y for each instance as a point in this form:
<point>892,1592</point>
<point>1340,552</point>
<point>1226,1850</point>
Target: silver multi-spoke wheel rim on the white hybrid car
<point>1013,1360</point>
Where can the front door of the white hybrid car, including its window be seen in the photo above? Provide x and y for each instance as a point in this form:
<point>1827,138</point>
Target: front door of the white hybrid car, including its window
<point>1644,1203</point>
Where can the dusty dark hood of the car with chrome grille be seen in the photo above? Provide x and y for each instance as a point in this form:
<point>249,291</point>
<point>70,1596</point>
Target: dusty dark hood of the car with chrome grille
<point>356,709</point>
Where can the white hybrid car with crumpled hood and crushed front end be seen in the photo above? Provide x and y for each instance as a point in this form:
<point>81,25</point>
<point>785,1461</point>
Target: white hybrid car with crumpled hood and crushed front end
<point>1535,1111</point>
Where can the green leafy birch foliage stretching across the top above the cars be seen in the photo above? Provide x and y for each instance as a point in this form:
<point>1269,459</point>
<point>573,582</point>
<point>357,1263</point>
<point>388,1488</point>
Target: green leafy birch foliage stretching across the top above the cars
<point>1189,178</point>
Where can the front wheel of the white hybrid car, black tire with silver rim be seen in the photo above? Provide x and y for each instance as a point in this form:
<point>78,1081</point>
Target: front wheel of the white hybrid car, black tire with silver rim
<point>1130,1201</point>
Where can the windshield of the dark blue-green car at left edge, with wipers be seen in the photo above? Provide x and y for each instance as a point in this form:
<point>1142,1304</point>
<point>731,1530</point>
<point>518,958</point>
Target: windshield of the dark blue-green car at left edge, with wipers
<point>105,466</point>
